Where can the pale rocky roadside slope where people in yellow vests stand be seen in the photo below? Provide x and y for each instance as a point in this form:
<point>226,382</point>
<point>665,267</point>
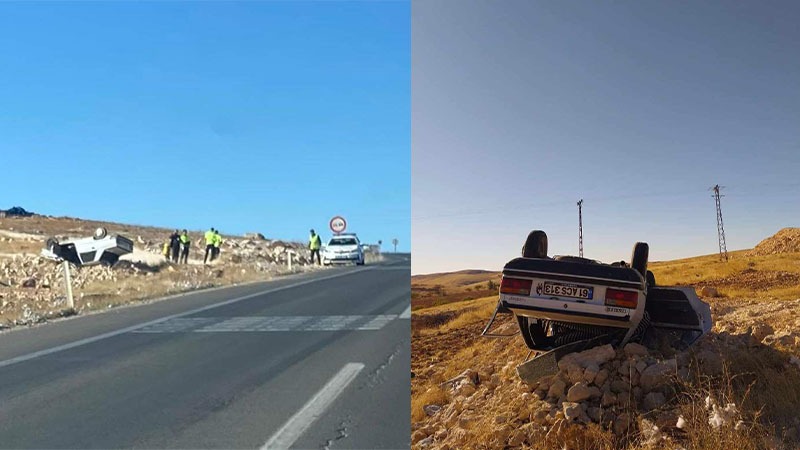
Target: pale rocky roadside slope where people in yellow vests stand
<point>32,287</point>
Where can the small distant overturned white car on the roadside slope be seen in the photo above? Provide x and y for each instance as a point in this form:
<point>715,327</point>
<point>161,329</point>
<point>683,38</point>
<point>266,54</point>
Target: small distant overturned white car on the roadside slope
<point>98,249</point>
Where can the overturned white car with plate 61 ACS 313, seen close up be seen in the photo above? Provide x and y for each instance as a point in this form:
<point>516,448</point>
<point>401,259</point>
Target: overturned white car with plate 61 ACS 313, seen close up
<point>564,300</point>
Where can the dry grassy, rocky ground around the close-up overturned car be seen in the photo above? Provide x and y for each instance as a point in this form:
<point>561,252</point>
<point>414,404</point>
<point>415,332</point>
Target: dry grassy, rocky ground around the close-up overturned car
<point>738,387</point>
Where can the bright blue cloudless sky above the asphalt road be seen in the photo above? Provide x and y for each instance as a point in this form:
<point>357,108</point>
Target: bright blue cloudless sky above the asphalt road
<point>252,116</point>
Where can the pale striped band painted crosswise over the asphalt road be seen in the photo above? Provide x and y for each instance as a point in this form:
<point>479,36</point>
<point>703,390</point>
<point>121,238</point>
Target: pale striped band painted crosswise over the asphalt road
<point>269,324</point>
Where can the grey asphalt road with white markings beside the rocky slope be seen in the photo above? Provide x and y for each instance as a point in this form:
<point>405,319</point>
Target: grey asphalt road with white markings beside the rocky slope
<point>312,361</point>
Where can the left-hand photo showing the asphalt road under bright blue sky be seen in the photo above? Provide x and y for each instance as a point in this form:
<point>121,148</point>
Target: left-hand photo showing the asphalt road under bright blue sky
<point>205,225</point>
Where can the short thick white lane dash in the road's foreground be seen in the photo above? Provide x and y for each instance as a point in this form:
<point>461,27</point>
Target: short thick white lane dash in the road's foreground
<point>311,411</point>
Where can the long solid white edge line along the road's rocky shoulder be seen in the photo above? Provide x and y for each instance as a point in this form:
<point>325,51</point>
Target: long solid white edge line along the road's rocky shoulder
<point>110,334</point>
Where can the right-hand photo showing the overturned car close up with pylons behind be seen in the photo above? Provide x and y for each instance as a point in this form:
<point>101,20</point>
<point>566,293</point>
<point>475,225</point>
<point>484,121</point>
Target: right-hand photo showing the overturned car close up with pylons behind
<point>605,225</point>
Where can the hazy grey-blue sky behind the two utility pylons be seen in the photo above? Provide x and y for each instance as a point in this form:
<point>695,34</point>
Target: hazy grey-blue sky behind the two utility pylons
<point>521,108</point>
